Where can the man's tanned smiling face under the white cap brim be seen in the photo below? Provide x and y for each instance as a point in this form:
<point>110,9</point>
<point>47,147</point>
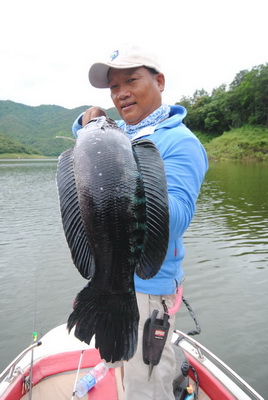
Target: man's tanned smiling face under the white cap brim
<point>136,92</point>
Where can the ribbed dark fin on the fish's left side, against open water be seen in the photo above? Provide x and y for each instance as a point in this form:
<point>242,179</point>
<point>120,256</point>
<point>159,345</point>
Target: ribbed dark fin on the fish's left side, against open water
<point>71,216</point>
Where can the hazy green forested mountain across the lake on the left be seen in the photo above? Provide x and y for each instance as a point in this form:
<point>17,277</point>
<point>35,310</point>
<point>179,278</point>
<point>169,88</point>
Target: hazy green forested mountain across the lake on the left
<point>36,128</point>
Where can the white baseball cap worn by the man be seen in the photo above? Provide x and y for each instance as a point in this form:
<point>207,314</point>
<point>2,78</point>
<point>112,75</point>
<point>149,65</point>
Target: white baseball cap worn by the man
<point>128,57</point>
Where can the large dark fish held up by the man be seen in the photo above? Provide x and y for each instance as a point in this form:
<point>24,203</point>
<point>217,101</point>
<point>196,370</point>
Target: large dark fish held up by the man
<point>114,209</point>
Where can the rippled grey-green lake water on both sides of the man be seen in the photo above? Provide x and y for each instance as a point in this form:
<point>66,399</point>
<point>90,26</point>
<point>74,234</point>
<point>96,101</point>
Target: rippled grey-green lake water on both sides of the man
<point>226,263</point>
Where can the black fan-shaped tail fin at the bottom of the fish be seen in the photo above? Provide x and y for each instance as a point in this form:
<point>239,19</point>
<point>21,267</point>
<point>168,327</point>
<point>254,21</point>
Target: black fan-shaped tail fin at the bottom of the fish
<point>112,318</point>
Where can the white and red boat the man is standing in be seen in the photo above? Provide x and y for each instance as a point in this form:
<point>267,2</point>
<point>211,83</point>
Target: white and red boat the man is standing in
<point>52,368</point>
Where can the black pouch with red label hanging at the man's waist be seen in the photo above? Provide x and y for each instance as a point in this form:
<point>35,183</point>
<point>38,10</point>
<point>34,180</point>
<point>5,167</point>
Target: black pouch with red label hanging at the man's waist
<point>154,338</point>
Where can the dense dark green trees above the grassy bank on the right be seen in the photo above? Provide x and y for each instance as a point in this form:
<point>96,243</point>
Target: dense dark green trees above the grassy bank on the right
<point>244,102</point>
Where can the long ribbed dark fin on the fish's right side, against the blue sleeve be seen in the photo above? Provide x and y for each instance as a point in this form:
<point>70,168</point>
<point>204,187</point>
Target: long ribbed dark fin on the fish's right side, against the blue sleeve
<point>151,168</point>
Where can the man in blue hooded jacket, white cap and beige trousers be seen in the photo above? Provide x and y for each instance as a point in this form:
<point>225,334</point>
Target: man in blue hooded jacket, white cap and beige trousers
<point>136,83</point>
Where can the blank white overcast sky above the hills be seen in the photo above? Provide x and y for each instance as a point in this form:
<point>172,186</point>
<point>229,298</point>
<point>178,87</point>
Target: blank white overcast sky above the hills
<point>46,47</point>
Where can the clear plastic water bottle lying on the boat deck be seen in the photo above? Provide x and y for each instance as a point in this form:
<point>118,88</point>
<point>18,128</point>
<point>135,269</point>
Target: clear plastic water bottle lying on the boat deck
<point>90,379</point>
